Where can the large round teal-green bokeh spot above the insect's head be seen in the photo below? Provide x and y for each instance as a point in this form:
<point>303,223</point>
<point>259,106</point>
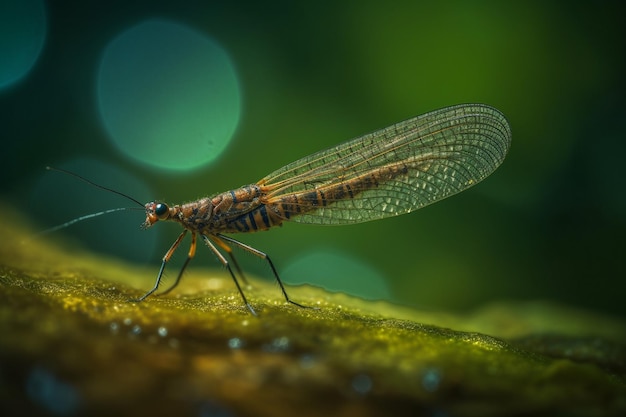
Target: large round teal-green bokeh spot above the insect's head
<point>168,95</point>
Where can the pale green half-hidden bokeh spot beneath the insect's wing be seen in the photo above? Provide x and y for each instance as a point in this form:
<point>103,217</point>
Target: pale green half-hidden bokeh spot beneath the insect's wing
<point>338,272</point>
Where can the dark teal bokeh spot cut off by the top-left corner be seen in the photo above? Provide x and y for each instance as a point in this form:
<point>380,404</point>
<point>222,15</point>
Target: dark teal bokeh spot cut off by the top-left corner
<point>22,36</point>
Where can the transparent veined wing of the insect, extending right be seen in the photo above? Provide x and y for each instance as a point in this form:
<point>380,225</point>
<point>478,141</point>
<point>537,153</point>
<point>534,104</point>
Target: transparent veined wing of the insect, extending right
<point>394,170</point>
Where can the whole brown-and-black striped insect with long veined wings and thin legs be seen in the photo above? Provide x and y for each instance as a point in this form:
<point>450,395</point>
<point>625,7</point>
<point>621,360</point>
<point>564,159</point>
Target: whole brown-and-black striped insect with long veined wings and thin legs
<point>389,172</point>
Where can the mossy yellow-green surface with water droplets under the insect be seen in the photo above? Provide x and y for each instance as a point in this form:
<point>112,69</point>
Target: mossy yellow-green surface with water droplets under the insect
<point>73,344</point>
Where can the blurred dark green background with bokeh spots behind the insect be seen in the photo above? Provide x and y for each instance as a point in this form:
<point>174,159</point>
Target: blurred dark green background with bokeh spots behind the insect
<point>175,101</point>
